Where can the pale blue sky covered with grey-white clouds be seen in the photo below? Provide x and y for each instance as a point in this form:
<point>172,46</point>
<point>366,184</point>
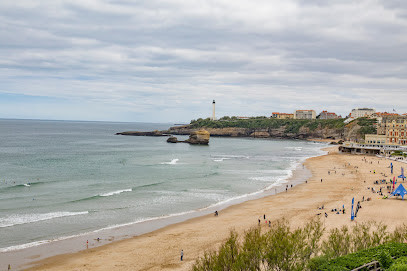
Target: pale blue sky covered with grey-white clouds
<point>165,61</point>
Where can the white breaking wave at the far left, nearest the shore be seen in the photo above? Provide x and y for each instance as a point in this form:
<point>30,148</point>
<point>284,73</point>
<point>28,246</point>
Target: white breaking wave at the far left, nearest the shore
<point>13,220</point>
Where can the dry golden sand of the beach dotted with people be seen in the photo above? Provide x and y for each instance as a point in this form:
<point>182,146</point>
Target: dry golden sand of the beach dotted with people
<point>343,177</point>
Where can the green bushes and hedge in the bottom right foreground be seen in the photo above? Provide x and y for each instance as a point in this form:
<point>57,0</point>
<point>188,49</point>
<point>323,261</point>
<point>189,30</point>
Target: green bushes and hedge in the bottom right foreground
<point>283,248</point>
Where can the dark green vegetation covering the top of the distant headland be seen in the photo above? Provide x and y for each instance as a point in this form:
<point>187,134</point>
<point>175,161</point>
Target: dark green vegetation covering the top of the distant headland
<point>289,125</point>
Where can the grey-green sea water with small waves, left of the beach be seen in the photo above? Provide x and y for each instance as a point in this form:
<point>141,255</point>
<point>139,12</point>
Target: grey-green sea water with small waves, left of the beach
<point>62,178</point>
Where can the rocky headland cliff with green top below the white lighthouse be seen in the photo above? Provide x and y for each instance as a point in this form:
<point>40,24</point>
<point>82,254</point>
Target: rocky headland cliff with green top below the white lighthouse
<point>334,129</point>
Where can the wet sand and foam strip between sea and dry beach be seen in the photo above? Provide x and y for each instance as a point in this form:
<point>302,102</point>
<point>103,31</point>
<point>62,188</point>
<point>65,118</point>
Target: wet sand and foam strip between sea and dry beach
<point>27,257</point>
